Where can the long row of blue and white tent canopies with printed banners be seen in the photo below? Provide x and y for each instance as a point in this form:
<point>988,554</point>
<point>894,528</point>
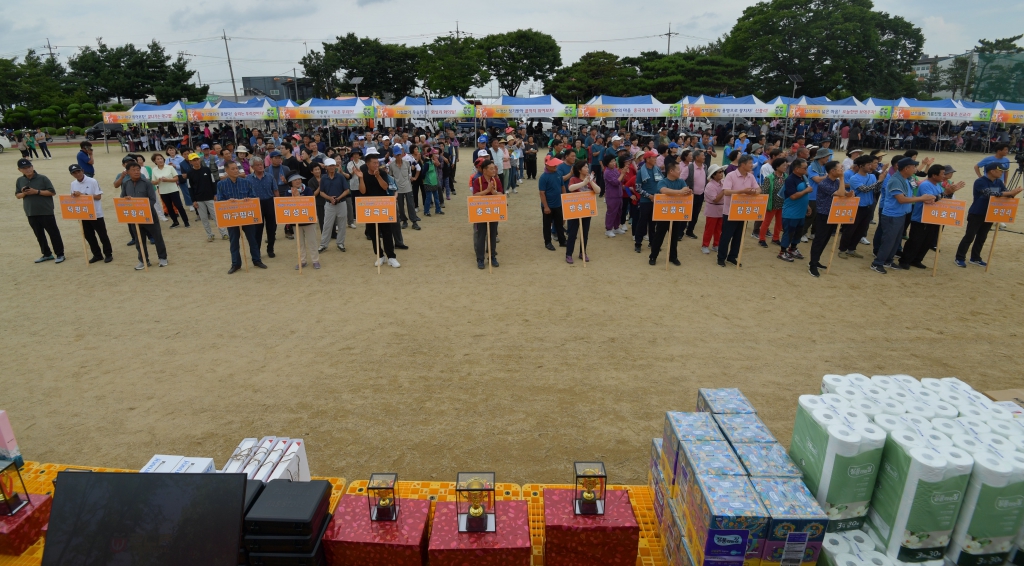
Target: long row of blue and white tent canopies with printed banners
<point>601,107</point>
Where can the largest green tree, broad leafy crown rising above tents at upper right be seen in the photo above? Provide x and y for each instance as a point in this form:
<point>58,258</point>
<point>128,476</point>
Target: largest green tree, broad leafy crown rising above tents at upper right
<point>829,43</point>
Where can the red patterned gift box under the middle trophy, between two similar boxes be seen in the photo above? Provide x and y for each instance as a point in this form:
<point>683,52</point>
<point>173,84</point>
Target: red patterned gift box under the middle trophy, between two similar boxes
<point>508,546</point>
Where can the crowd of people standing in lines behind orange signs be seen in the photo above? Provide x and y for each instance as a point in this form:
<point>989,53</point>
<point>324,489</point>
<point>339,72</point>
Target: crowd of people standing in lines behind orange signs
<point>625,169</point>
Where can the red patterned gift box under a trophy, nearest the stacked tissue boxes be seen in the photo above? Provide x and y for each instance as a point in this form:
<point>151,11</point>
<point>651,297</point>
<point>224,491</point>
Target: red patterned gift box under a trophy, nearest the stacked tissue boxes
<point>572,540</point>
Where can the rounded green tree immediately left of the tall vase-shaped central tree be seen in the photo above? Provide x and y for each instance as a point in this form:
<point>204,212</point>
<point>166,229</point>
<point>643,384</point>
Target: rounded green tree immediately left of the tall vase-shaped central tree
<point>450,66</point>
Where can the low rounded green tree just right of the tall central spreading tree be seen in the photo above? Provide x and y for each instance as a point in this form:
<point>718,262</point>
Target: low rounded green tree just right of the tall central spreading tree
<point>596,73</point>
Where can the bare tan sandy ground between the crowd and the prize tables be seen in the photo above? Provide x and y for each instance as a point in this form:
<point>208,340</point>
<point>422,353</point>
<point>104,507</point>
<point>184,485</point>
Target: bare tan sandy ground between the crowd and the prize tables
<point>439,368</point>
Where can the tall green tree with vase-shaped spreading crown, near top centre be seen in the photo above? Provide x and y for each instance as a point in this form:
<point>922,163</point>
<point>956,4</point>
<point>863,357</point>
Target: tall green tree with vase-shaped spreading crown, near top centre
<point>519,57</point>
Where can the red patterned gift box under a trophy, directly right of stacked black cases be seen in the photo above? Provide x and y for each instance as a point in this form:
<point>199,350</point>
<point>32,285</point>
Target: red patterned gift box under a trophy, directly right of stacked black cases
<point>353,540</point>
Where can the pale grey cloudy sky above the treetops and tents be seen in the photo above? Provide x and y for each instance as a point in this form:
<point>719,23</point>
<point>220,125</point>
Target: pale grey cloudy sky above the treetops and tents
<point>267,36</point>
